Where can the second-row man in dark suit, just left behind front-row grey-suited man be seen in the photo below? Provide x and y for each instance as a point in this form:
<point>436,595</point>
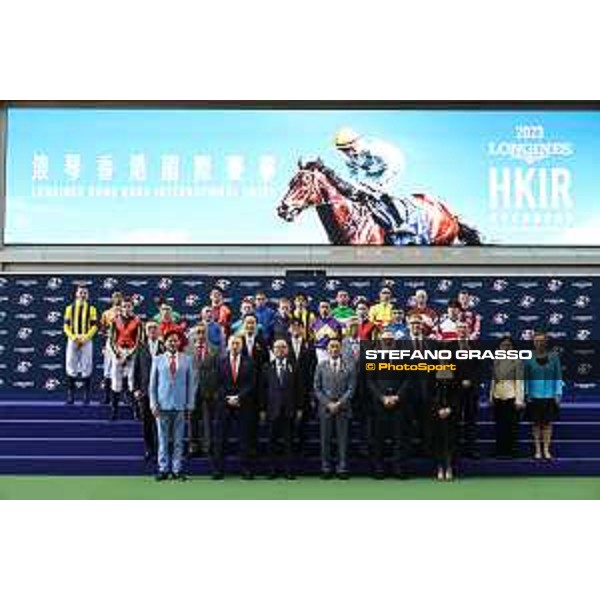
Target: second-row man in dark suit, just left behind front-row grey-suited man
<point>302,356</point>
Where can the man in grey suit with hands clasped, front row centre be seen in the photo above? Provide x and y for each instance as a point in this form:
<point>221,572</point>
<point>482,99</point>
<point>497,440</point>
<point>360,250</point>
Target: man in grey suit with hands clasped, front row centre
<point>335,381</point>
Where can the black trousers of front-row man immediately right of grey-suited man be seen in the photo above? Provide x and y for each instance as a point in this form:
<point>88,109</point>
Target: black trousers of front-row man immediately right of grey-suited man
<point>395,424</point>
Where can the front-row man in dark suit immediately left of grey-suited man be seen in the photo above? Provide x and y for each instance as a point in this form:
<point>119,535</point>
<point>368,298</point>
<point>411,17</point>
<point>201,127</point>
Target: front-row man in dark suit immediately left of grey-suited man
<point>280,408</point>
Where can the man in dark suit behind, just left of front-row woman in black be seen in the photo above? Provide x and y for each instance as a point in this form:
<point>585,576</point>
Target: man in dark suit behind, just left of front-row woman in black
<point>417,389</point>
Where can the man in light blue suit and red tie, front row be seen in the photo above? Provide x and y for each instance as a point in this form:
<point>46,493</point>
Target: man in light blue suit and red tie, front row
<point>171,400</point>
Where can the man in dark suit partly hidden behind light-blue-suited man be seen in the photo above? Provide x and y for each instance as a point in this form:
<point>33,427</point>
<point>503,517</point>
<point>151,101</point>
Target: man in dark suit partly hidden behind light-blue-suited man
<point>142,367</point>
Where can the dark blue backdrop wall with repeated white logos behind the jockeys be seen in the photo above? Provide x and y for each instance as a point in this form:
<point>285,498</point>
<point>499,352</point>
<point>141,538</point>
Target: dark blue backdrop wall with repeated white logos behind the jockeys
<point>31,308</point>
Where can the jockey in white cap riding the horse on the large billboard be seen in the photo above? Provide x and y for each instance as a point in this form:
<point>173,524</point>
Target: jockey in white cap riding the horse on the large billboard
<point>373,166</point>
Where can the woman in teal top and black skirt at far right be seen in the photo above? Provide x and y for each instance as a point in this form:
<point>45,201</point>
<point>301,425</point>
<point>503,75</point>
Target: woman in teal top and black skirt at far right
<point>543,391</point>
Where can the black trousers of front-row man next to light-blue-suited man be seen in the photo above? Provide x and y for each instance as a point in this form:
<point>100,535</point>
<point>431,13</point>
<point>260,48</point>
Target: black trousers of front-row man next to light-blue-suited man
<point>242,419</point>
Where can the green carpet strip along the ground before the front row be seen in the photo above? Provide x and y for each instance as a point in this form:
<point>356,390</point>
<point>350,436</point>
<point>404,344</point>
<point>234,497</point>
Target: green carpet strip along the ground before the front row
<point>309,488</point>
